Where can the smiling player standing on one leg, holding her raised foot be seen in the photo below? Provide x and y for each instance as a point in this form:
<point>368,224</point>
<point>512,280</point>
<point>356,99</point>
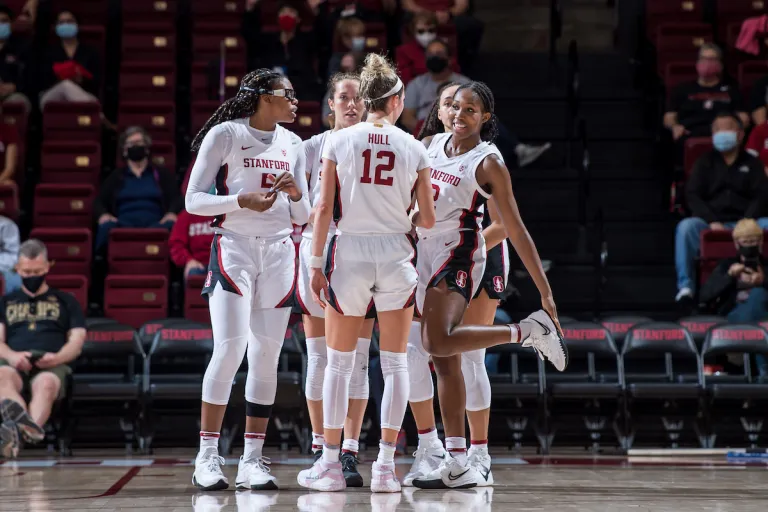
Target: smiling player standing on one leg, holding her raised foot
<point>467,170</point>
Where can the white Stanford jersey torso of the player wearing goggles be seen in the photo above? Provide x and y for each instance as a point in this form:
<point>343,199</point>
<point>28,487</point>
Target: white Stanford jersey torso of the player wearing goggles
<point>252,166</point>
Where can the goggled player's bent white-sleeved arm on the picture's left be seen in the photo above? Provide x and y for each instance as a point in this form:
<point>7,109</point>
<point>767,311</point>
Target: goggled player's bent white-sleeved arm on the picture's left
<point>199,201</point>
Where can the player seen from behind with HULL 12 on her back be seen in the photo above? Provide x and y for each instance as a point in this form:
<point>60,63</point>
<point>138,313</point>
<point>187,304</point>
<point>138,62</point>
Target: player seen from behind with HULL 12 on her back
<point>370,174</point>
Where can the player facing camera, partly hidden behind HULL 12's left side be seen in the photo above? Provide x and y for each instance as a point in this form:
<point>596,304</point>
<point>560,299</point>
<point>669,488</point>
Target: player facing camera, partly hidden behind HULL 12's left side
<point>348,109</point>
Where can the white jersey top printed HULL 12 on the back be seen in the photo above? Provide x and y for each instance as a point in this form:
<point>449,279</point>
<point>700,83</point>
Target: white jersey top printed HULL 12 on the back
<point>376,167</point>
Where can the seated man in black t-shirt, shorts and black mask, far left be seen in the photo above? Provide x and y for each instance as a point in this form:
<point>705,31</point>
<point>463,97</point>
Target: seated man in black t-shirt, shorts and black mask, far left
<point>42,330</point>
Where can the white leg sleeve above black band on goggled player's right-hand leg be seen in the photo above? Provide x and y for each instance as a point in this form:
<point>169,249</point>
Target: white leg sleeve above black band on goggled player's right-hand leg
<point>267,334</point>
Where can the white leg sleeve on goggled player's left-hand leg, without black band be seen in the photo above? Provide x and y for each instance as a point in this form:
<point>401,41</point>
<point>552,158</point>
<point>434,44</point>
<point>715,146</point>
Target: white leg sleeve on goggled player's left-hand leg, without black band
<point>230,316</point>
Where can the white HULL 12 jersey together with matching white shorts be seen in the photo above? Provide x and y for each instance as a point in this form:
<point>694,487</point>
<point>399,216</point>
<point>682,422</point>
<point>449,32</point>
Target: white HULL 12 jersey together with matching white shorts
<point>372,255</point>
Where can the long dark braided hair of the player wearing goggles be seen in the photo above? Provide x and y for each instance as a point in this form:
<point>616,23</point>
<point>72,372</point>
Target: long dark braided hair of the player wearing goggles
<point>243,104</point>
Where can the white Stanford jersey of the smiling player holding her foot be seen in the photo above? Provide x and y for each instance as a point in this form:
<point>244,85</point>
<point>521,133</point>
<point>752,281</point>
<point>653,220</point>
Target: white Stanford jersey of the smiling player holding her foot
<point>459,200</point>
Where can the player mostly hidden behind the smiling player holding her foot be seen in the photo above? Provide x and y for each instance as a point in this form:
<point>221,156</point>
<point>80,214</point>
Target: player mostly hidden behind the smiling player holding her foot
<point>430,451</point>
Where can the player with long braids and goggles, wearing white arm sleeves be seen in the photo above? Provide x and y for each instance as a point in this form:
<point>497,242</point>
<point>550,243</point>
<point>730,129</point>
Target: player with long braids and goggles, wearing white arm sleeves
<point>257,168</point>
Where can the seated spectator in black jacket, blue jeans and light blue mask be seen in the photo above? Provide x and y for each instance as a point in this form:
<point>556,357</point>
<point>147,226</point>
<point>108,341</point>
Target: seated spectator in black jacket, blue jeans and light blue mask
<point>726,184</point>
